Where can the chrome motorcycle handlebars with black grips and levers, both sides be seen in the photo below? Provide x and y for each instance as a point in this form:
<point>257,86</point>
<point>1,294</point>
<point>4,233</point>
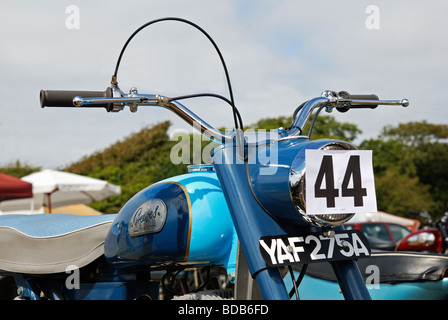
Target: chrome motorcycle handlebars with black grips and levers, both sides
<point>113,99</point>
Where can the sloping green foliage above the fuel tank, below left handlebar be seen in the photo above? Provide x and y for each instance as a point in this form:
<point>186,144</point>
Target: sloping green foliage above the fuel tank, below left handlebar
<point>138,161</point>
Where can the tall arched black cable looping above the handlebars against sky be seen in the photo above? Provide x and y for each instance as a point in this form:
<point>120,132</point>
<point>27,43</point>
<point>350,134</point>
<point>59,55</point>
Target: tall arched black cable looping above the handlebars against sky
<point>114,77</point>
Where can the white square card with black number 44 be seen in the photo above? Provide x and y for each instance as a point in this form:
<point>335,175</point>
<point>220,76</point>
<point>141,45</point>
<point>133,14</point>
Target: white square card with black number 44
<point>339,181</point>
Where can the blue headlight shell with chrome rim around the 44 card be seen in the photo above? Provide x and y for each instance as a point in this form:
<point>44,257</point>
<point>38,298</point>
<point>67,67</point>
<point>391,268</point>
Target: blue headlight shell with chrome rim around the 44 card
<point>278,182</point>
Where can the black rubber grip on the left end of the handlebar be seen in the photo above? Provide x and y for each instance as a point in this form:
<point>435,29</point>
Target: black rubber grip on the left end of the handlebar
<point>64,98</point>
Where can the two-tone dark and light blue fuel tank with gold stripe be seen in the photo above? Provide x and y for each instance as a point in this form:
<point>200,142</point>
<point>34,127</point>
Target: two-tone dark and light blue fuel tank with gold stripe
<point>180,220</point>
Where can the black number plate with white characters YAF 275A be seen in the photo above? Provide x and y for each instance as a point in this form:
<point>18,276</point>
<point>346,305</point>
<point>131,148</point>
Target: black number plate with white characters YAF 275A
<point>289,249</point>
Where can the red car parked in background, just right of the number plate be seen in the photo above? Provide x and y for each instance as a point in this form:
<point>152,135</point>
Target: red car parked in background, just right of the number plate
<point>386,231</point>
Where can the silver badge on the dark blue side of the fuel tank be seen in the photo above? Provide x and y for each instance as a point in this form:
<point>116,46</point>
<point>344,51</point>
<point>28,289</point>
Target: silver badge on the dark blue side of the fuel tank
<point>150,217</point>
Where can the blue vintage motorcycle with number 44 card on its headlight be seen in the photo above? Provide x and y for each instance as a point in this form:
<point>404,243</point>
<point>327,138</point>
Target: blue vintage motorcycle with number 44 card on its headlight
<point>248,212</point>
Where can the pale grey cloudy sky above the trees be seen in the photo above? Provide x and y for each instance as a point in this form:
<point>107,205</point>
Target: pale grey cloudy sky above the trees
<point>279,53</point>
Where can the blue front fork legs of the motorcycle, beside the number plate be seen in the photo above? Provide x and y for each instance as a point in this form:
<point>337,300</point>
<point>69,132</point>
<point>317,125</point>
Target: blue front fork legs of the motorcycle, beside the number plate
<point>252,222</point>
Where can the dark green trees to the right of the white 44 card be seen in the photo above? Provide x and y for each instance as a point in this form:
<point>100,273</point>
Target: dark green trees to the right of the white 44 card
<point>417,152</point>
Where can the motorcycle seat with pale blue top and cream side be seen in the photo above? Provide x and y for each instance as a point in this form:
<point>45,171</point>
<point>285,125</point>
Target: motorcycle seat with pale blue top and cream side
<point>50,243</point>
